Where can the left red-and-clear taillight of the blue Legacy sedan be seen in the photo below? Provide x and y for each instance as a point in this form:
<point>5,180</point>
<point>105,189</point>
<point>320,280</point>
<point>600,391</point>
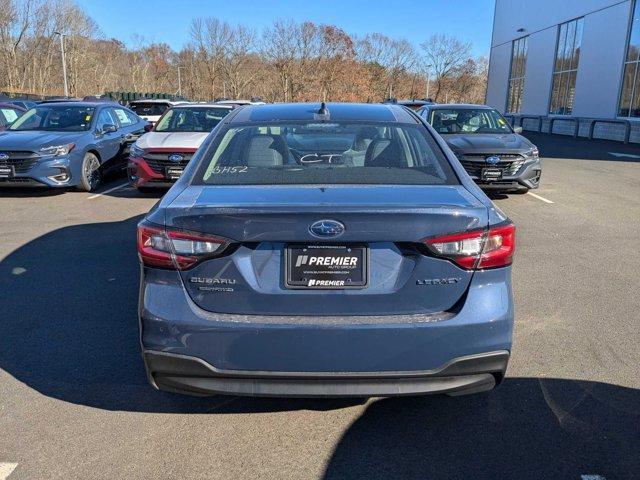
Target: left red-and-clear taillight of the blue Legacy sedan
<point>168,248</point>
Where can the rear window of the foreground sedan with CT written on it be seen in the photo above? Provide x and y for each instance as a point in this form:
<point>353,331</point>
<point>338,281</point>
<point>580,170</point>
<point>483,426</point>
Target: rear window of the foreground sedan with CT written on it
<point>324,153</point>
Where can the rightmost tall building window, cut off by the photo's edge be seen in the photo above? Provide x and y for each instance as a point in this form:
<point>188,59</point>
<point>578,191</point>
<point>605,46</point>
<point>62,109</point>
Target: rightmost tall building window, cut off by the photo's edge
<point>630,95</point>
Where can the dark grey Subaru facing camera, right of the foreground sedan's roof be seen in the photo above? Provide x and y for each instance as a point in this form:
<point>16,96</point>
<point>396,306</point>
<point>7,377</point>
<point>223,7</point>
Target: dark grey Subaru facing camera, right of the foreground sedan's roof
<point>493,153</point>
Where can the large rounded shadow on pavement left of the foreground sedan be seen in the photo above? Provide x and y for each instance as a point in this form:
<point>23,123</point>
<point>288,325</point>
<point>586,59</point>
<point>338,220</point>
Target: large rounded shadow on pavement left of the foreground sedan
<point>69,326</point>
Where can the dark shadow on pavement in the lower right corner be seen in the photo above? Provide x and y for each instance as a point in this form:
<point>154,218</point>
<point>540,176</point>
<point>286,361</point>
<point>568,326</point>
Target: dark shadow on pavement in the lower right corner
<point>525,429</point>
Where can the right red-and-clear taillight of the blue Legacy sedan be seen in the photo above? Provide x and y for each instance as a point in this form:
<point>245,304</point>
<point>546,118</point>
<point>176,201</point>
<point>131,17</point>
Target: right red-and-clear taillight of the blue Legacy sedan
<point>477,249</point>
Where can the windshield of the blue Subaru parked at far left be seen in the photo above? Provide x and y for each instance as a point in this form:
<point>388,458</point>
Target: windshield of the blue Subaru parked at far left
<point>56,118</point>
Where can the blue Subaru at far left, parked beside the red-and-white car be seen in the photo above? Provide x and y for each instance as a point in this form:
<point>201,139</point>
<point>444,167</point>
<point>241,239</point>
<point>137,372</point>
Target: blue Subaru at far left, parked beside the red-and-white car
<point>67,144</point>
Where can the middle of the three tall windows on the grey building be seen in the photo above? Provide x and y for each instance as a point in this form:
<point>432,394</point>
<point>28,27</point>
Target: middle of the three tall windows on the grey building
<point>566,67</point>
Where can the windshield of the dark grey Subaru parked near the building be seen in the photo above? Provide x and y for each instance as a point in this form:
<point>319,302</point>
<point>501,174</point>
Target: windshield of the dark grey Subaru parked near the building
<point>467,120</point>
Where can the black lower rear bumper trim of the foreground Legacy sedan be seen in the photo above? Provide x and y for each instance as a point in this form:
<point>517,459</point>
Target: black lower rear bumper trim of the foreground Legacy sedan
<point>193,376</point>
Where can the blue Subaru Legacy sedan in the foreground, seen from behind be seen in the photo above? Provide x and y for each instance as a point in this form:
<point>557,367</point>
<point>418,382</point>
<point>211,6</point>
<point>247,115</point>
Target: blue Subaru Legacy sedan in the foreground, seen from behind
<point>325,250</point>
